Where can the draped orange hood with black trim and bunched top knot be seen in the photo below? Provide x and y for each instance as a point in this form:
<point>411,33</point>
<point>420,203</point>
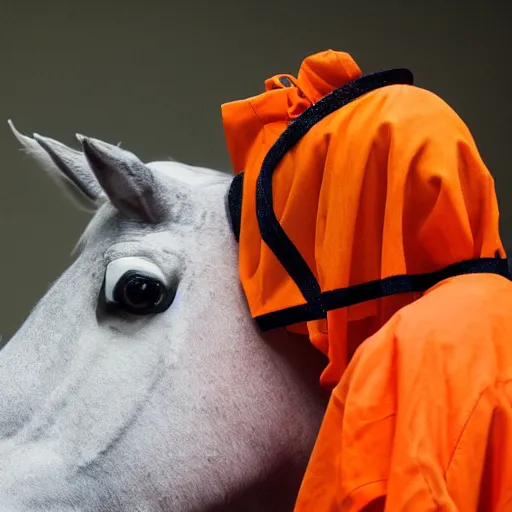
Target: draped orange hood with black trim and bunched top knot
<point>385,194</point>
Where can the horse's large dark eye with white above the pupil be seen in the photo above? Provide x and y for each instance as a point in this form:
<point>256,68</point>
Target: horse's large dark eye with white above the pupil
<point>137,286</point>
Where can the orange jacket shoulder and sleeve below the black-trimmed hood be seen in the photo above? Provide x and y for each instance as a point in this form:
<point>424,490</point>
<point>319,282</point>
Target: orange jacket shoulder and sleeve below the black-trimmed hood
<point>422,416</point>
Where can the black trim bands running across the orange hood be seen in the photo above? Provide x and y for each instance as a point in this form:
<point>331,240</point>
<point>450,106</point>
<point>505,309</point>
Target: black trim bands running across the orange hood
<point>318,302</point>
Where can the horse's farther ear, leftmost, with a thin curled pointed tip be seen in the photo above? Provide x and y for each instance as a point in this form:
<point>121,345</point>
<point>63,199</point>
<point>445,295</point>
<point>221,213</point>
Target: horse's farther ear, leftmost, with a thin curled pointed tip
<point>68,167</point>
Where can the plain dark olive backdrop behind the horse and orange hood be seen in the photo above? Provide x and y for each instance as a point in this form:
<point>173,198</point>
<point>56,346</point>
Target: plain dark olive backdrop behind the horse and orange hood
<point>153,75</point>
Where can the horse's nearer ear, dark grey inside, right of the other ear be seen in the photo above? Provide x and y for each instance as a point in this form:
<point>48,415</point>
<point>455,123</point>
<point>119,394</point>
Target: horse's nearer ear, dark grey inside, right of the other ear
<point>129,184</point>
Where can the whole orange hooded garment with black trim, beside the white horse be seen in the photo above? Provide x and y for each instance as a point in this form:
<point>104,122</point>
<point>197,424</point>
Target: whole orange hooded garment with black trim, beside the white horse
<point>367,220</point>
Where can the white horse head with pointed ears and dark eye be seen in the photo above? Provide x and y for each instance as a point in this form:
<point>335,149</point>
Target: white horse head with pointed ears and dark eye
<point>139,382</point>
